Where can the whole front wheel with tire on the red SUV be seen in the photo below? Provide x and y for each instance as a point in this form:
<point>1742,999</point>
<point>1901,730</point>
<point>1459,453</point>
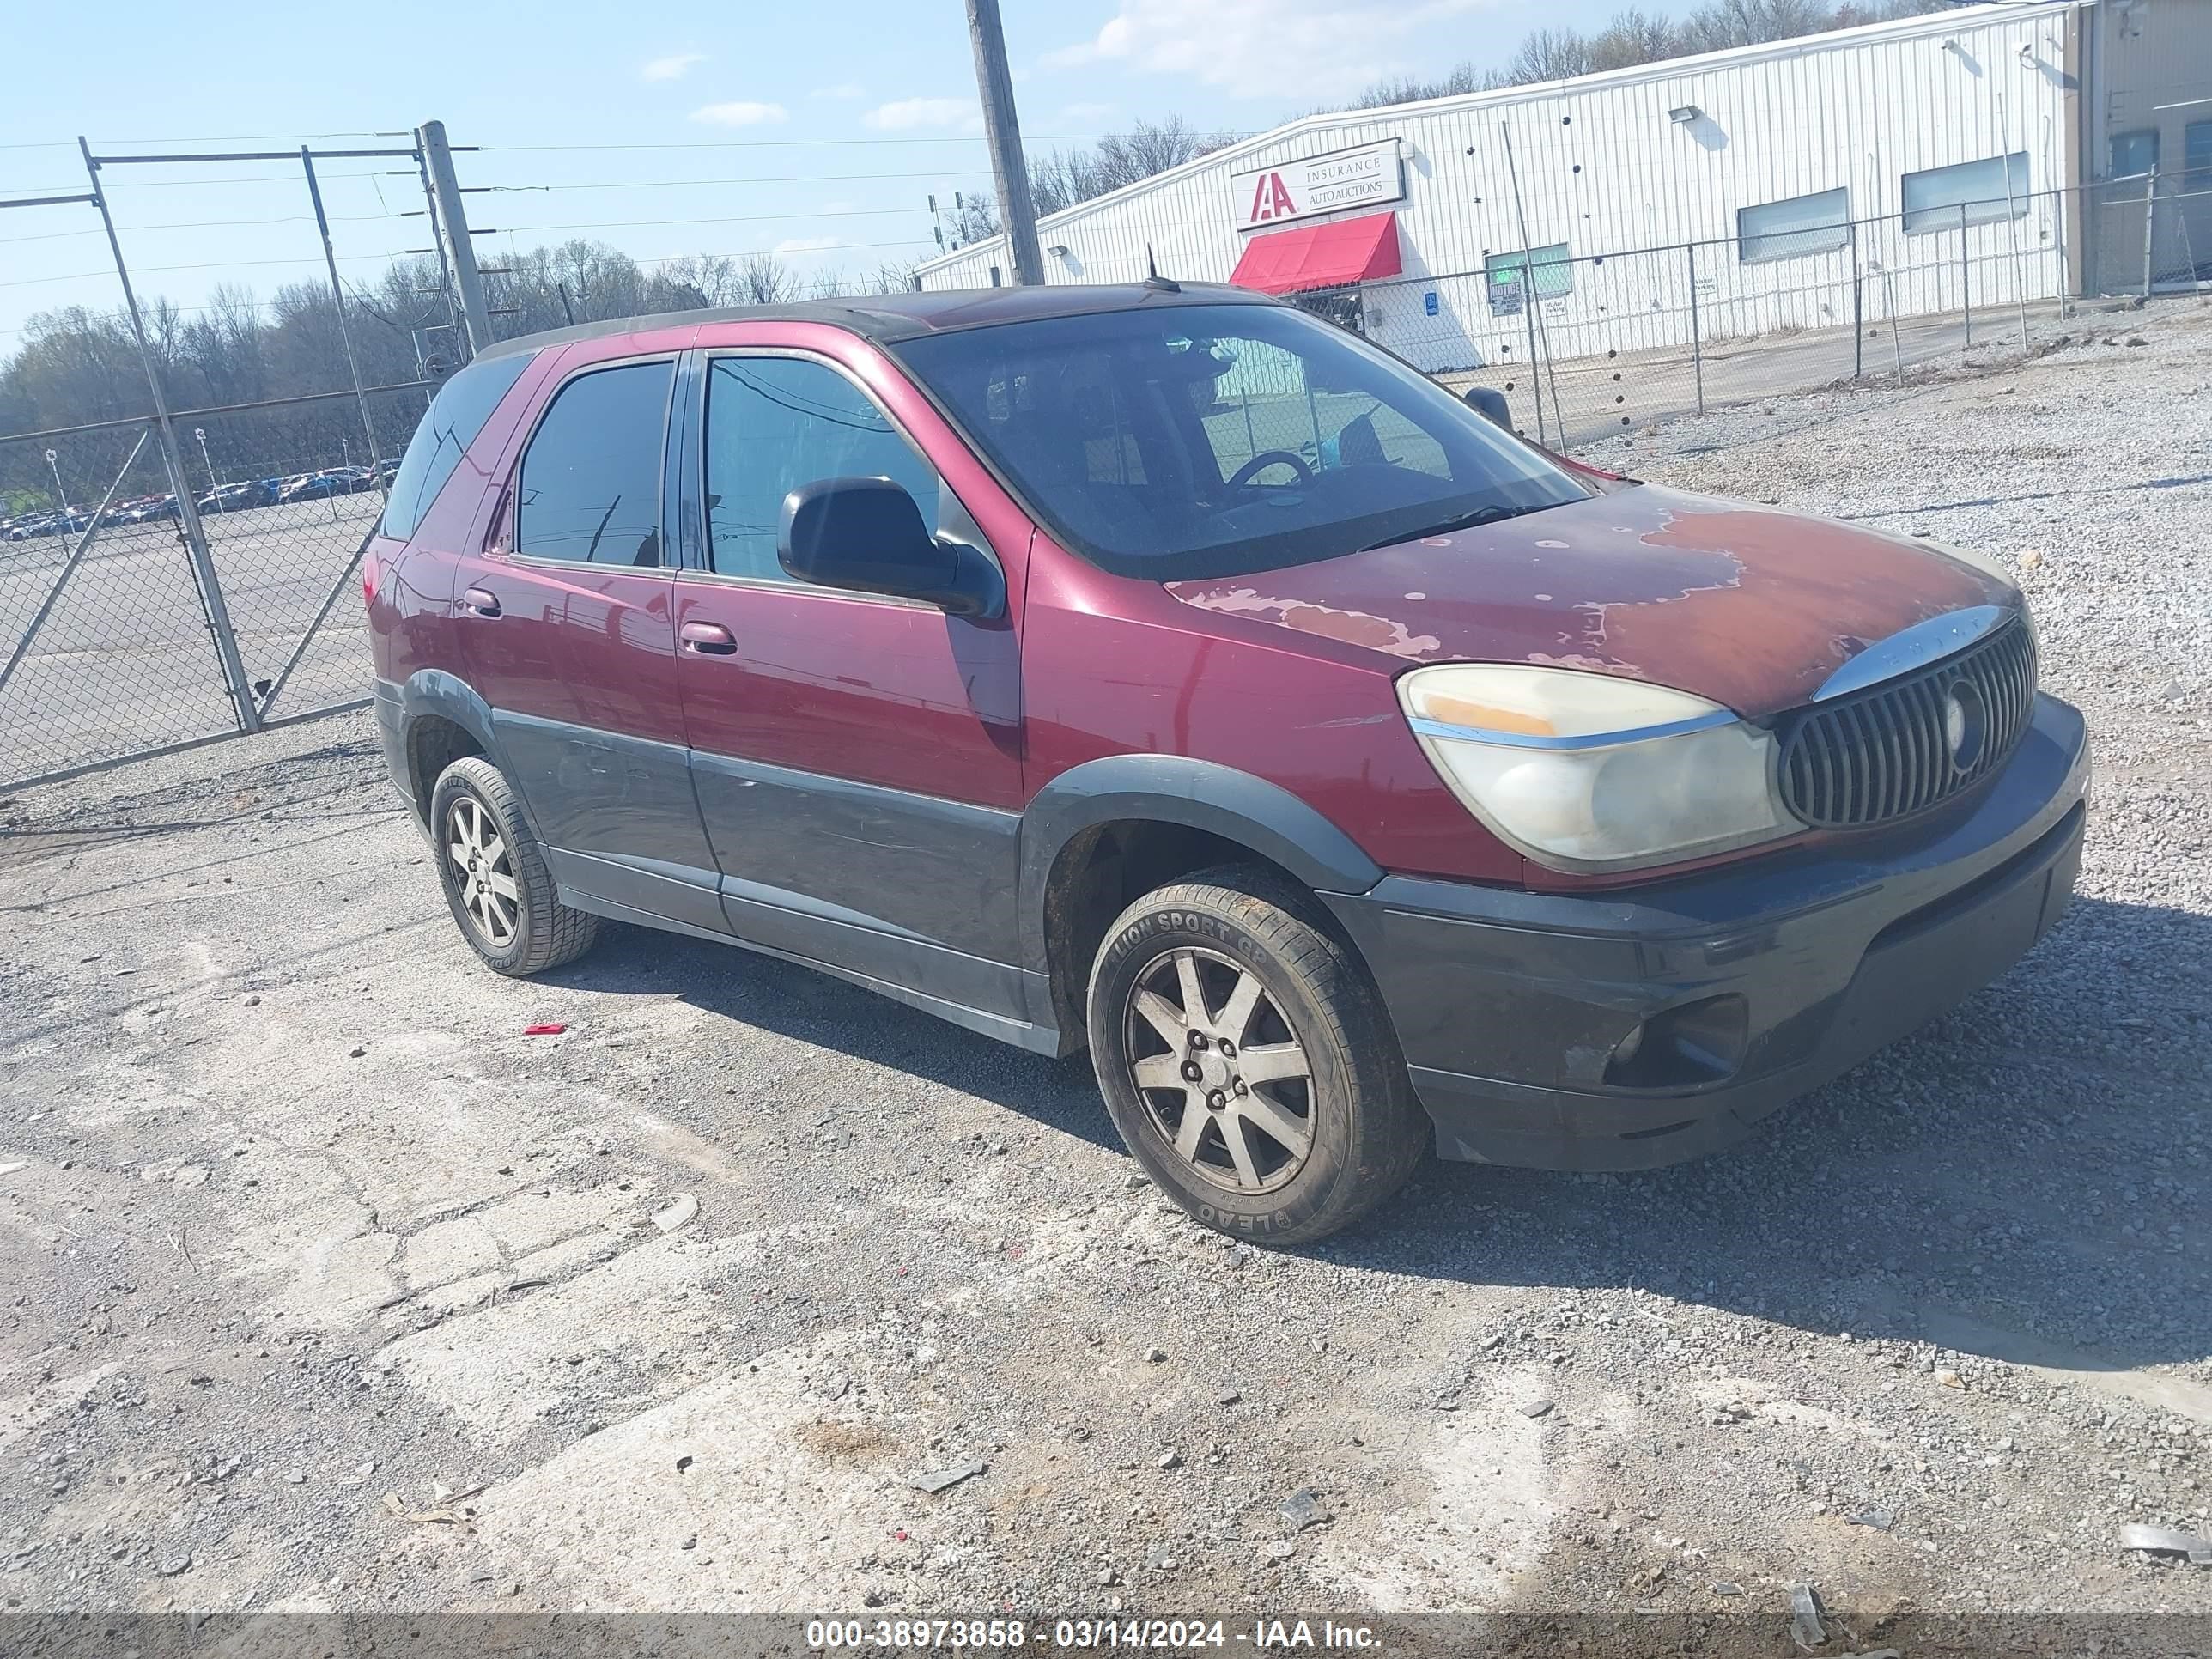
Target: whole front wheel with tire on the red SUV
<point>1286,1112</point>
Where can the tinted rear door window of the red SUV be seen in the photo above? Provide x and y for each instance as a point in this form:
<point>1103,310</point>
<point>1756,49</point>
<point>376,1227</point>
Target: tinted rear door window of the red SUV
<point>592,479</point>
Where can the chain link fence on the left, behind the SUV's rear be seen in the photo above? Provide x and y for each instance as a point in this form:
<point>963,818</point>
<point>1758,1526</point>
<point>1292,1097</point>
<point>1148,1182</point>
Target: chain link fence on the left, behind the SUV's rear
<point>125,640</point>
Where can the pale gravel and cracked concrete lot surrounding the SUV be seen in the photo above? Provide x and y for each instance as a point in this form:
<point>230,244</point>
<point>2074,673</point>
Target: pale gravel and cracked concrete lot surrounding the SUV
<point>328,1288</point>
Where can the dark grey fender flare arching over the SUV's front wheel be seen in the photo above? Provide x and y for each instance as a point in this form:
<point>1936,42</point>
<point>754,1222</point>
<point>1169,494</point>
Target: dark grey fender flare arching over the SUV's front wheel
<point>1198,795</point>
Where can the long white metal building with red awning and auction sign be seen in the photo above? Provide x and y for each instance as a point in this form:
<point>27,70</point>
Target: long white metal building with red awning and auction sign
<point>1895,169</point>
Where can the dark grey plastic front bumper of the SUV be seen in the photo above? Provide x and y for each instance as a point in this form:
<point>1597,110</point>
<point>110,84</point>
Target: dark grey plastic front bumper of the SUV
<point>1512,1005</point>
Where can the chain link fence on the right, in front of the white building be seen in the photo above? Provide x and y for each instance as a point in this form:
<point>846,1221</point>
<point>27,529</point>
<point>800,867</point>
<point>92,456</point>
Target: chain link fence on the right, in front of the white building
<point>1592,346</point>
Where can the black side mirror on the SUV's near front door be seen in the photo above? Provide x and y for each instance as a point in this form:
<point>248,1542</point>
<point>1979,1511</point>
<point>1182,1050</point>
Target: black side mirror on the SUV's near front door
<point>866,534</point>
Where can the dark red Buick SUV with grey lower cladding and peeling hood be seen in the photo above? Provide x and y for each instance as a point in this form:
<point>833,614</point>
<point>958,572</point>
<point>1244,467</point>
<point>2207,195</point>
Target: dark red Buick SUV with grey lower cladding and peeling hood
<point>1169,674</point>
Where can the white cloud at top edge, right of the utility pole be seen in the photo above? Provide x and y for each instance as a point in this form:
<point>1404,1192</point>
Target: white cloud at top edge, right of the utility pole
<point>1280,50</point>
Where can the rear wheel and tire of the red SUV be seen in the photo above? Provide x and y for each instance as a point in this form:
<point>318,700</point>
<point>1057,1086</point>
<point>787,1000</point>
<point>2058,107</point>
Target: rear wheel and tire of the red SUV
<point>497,879</point>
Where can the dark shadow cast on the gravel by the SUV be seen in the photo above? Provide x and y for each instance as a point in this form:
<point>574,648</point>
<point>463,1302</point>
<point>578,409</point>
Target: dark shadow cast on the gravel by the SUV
<point>2025,1180</point>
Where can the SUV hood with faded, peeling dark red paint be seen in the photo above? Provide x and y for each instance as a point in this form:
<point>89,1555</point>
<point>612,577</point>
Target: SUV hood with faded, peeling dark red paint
<point>1744,605</point>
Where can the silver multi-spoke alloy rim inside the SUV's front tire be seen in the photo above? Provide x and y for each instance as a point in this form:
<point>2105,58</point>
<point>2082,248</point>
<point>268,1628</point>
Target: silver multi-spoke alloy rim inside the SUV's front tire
<point>1222,1074</point>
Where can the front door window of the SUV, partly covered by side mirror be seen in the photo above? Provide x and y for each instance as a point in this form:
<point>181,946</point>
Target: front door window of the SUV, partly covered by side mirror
<point>775,424</point>
